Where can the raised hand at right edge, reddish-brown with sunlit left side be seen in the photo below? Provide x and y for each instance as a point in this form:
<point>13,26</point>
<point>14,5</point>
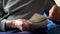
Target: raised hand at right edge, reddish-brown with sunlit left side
<point>54,13</point>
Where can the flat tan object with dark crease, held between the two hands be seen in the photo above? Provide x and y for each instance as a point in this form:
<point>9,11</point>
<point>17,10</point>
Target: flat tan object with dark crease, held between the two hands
<point>39,20</point>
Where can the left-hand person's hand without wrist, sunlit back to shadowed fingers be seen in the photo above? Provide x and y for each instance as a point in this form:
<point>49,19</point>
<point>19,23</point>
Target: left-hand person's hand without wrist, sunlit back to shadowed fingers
<point>23,24</point>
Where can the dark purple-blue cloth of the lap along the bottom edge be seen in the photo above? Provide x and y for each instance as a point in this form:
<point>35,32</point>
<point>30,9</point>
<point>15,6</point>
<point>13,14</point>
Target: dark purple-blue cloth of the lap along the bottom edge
<point>39,31</point>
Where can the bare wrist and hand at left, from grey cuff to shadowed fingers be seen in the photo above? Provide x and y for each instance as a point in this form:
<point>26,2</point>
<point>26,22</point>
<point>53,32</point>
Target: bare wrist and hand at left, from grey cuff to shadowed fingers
<point>21,24</point>
